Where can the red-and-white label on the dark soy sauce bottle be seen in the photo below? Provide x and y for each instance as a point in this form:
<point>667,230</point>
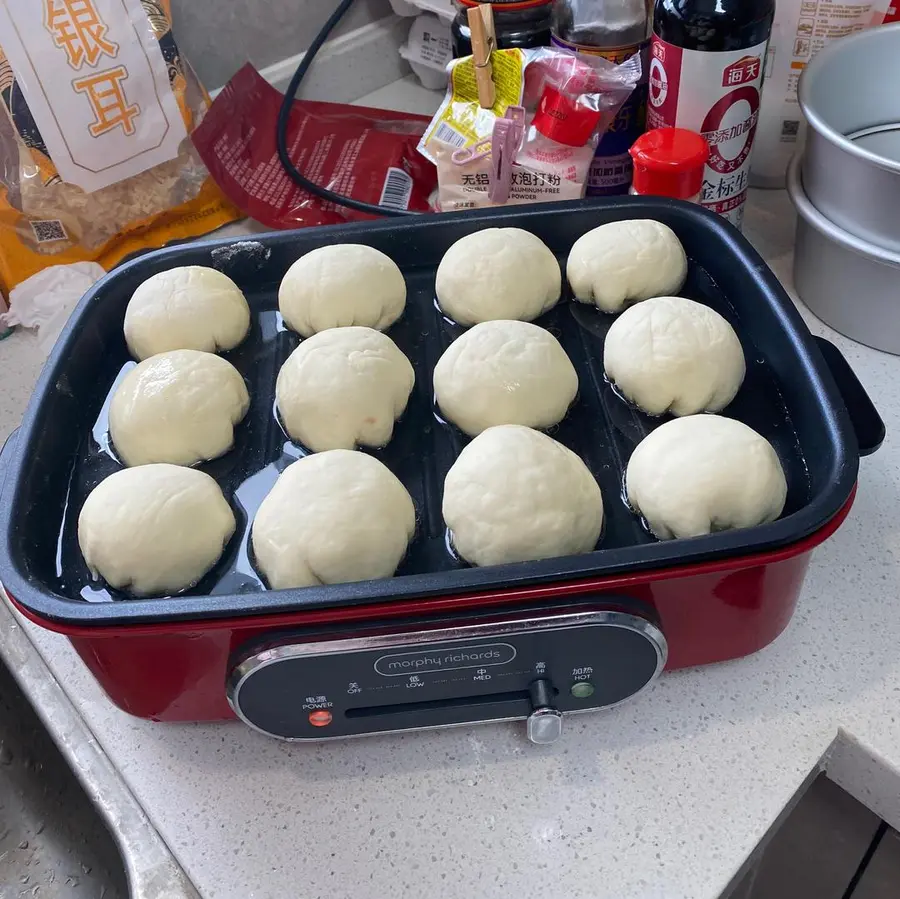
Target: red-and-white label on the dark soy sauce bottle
<point>716,94</point>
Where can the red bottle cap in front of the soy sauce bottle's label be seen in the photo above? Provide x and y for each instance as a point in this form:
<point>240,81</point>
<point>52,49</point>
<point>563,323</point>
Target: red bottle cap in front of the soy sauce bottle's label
<point>669,162</point>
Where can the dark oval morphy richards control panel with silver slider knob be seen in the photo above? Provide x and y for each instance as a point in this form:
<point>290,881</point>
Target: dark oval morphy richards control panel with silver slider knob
<point>537,667</point>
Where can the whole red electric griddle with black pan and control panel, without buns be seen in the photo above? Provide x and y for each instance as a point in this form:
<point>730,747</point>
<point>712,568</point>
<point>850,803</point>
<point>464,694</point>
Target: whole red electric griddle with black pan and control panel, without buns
<point>441,643</point>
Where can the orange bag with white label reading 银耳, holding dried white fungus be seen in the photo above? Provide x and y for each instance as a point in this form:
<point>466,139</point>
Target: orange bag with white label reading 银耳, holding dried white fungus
<point>95,157</point>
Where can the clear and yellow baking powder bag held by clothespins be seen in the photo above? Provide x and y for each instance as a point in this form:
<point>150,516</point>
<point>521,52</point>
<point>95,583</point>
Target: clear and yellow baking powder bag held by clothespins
<point>568,102</point>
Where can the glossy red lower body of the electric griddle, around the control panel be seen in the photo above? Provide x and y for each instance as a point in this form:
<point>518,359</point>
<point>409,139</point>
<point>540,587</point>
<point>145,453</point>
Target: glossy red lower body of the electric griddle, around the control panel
<point>709,613</point>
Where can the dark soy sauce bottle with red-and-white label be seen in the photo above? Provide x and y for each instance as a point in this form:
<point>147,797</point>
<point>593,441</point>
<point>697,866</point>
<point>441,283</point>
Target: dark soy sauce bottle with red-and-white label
<point>706,72</point>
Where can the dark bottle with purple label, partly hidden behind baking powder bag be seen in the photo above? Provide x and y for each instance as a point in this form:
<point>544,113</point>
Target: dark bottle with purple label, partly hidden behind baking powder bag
<point>616,30</point>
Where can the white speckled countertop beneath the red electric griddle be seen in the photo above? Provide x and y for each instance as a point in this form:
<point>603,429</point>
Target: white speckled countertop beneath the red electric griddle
<point>662,798</point>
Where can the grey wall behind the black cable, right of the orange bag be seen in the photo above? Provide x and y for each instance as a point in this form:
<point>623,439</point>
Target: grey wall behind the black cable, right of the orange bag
<point>218,37</point>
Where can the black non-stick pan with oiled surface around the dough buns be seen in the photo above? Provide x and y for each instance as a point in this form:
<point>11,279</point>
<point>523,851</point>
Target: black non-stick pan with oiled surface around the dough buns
<point>62,451</point>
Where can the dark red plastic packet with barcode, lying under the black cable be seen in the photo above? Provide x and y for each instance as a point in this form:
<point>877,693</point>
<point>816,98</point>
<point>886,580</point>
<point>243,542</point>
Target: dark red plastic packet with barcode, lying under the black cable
<point>367,154</point>
